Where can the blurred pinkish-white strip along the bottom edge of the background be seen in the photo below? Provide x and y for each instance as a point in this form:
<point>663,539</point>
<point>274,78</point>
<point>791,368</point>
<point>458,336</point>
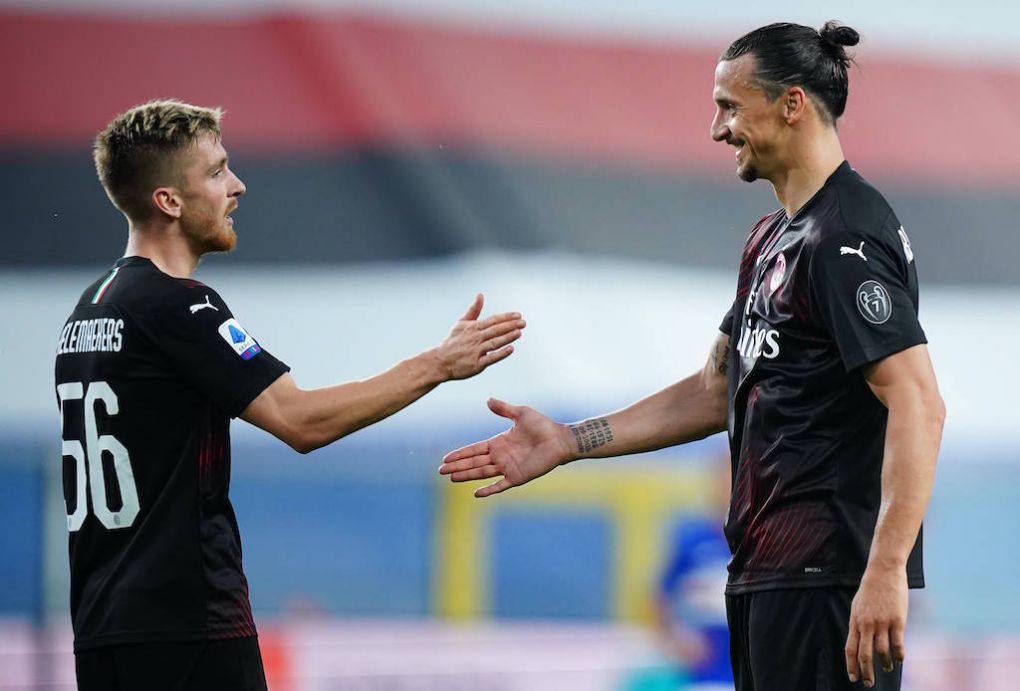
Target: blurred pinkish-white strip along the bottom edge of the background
<point>372,656</point>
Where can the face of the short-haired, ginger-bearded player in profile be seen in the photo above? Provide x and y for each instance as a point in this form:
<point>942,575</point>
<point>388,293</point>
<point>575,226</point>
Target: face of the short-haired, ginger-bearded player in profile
<point>210,193</point>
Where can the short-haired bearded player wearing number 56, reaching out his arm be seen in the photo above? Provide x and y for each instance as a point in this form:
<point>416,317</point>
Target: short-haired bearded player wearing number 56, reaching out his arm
<point>151,367</point>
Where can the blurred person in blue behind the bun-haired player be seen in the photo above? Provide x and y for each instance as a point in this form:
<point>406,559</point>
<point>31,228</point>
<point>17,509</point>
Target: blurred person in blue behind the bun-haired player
<point>689,604</point>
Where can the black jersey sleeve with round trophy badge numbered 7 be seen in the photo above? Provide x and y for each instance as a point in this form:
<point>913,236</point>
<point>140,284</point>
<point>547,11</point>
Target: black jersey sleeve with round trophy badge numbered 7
<point>865,291</point>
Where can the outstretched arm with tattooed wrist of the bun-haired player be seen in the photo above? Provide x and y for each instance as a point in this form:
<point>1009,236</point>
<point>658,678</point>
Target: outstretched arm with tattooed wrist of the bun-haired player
<point>692,409</point>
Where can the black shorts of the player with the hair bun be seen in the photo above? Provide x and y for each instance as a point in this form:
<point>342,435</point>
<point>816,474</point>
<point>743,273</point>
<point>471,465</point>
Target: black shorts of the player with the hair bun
<point>794,640</point>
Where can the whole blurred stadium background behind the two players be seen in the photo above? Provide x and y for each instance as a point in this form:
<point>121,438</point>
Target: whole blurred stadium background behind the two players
<point>401,156</point>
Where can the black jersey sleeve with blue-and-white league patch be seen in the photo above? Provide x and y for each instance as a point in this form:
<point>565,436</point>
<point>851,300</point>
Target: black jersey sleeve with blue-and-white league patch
<point>213,351</point>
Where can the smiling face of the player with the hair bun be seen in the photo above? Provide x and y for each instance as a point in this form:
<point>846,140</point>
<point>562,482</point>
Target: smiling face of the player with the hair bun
<point>746,120</point>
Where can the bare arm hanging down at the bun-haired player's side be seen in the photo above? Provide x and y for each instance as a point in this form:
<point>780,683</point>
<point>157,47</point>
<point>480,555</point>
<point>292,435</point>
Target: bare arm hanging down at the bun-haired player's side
<point>905,383</point>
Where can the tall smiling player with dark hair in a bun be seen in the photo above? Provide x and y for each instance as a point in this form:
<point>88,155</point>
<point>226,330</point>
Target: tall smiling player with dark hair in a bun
<point>821,375</point>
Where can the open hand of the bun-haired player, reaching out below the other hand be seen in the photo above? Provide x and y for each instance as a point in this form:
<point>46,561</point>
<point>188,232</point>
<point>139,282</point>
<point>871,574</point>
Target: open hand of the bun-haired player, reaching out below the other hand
<point>533,448</point>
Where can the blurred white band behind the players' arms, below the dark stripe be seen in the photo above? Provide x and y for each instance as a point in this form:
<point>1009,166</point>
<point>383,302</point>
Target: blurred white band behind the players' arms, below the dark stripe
<point>601,333</point>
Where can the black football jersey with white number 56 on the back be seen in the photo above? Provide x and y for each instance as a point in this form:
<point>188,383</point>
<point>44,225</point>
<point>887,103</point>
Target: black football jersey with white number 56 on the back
<point>149,371</point>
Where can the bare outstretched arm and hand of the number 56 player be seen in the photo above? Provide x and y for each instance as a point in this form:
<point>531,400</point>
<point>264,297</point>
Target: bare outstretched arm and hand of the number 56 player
<point>310,420</point>
